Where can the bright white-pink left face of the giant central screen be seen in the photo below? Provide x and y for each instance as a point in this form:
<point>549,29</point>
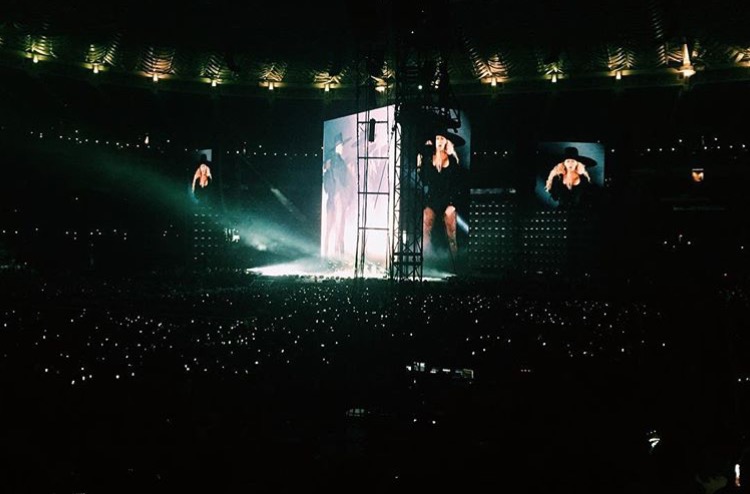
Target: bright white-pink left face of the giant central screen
<point>357,183</point>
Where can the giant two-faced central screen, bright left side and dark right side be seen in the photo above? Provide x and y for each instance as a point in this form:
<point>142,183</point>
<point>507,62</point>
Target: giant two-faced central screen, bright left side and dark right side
<point>357,188</point>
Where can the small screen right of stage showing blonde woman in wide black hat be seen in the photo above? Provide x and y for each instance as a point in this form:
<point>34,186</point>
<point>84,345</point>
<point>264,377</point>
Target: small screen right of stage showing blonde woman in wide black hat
<point>569,174</point>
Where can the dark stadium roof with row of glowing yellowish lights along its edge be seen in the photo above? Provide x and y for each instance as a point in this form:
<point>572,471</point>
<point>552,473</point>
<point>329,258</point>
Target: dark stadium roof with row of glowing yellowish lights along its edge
<point>312,49</point>
